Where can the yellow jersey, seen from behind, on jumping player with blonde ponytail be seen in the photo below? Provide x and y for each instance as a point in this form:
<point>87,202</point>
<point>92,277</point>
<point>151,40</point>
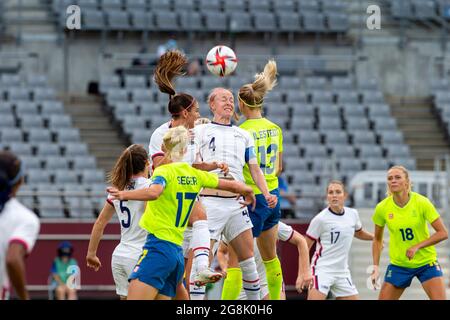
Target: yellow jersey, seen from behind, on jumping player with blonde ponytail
<point>268,143</point>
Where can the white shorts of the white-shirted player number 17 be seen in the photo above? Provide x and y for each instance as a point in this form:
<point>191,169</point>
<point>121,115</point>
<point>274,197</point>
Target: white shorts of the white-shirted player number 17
<point>340,285</point>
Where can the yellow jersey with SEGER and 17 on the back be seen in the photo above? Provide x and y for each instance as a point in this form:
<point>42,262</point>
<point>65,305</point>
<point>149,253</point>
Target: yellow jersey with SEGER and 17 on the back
<point>167,217</point>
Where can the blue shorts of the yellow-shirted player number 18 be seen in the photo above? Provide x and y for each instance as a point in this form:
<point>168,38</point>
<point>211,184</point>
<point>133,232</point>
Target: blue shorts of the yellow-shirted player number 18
<point>401,277</point>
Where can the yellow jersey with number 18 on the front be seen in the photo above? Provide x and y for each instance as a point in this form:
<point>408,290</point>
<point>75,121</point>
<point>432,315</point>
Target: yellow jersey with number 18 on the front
<point>407,226</point>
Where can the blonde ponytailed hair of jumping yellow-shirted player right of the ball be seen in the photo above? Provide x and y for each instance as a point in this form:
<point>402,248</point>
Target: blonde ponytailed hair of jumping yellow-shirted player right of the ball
<point>252,94</point>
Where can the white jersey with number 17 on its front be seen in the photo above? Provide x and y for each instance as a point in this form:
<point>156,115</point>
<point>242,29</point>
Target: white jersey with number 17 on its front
<point>333,234</point>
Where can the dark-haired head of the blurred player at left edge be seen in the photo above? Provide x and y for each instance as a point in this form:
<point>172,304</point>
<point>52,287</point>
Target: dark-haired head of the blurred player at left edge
<point>10,175</point>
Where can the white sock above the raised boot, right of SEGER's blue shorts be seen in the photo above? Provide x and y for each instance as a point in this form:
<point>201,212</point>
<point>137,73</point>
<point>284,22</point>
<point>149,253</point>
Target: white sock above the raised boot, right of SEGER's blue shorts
<point>200,245</point>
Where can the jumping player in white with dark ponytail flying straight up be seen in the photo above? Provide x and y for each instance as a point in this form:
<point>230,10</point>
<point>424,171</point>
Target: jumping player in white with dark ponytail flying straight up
<point>184,110</point>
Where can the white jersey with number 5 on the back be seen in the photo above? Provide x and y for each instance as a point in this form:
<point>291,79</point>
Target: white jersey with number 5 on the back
<point>132,237</point>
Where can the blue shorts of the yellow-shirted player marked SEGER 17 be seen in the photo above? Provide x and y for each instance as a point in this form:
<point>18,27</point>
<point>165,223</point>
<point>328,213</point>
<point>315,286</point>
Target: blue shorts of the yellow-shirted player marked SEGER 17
<point>161,265</point>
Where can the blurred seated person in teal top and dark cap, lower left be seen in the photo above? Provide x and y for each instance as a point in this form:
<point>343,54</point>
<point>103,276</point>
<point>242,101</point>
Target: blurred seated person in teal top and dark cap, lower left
<point>61,271</point>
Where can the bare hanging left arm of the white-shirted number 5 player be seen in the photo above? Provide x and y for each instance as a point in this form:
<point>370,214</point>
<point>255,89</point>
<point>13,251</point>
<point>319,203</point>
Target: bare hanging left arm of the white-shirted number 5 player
<point>105,216</point>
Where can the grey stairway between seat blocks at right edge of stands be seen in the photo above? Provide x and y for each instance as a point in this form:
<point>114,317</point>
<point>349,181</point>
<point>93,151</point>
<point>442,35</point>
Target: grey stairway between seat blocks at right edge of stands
<point>421,129</point>
